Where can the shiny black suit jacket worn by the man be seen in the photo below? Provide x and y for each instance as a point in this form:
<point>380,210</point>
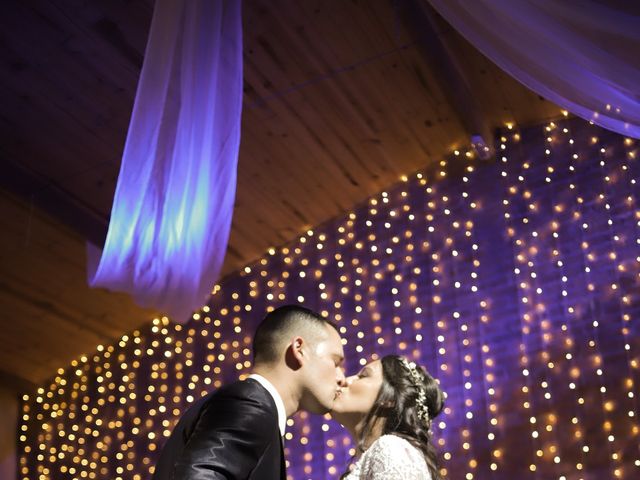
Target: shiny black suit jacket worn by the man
<point>231,433</point>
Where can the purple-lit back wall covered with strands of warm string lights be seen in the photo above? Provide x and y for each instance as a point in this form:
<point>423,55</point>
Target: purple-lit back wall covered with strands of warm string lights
<point>514,282</point>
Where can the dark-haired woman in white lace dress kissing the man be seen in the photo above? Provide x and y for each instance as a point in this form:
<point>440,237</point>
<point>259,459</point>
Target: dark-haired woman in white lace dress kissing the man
<point>388,408</point>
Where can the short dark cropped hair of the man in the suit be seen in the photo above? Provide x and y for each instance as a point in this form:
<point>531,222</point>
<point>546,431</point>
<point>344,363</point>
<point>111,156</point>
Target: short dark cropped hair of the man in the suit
<point>279,325</point>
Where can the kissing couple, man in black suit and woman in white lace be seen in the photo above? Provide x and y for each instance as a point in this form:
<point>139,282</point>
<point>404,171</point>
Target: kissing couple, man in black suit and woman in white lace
<point>236,431</point>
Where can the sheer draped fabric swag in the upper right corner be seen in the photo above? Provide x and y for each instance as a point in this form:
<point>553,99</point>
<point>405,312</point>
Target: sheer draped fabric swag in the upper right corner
<point>581,55</point>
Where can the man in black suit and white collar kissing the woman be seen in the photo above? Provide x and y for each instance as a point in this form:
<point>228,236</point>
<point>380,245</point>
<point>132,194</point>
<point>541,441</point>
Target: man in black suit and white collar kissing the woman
<point>236,431</point>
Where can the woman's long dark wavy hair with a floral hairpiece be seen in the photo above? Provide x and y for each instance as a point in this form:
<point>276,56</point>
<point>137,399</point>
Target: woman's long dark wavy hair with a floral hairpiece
<point>398,411</point>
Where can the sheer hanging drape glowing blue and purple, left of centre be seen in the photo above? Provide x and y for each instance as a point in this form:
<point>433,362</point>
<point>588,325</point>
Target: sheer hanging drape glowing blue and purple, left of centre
<point>174,199</point>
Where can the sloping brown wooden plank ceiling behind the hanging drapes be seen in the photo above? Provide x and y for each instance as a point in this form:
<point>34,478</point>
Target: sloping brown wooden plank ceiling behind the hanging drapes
<point>341,99</point>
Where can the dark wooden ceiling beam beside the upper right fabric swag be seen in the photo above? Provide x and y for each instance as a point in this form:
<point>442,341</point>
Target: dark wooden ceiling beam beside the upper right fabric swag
<point>430,31</point>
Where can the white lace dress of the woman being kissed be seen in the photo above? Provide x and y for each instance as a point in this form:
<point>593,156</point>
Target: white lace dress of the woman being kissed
<point>390,458</point>
